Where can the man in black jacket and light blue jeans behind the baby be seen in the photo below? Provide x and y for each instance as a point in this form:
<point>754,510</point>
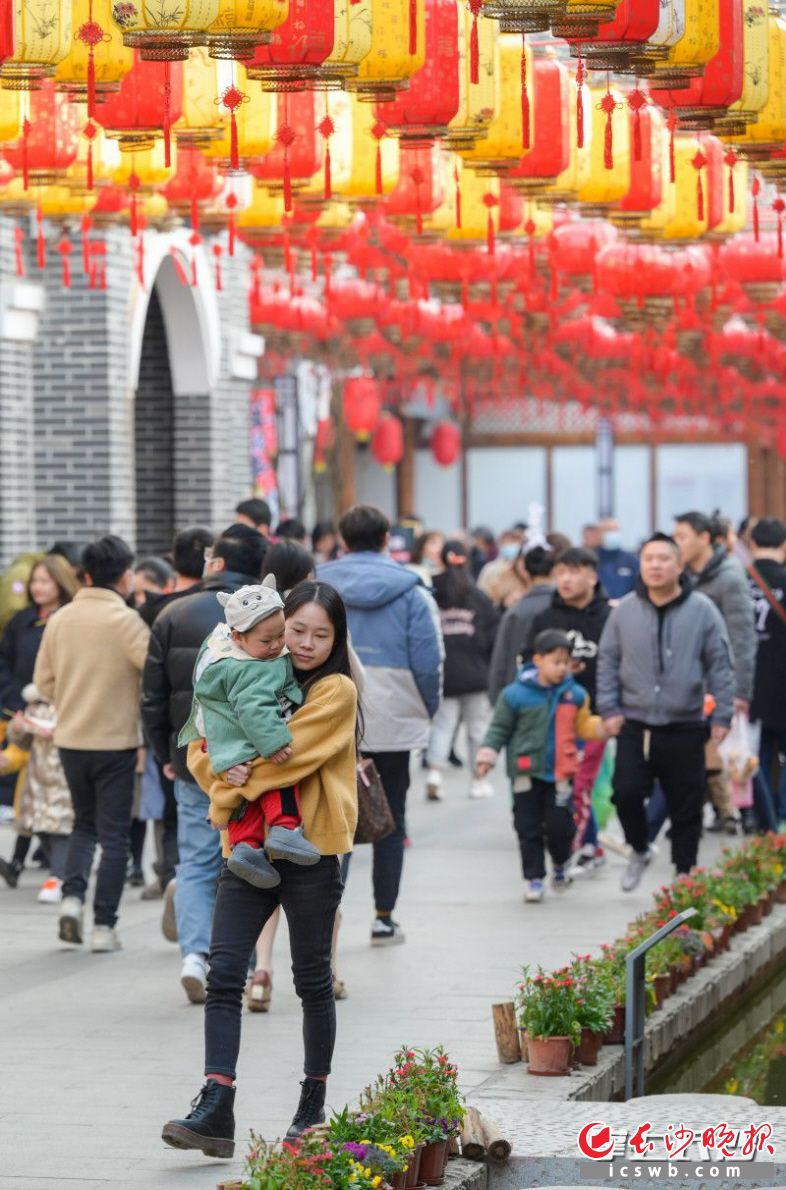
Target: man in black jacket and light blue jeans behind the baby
<point>235,561</point>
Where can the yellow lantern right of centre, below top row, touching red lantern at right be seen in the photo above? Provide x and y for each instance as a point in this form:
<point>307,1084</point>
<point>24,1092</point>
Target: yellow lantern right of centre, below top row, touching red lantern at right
<point>504,145</point>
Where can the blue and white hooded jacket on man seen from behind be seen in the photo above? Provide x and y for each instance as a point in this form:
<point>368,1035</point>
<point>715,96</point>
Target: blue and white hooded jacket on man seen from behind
<point>395,631</point>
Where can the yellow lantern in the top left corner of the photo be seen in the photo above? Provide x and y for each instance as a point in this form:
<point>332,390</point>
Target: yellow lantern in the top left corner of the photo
<point>41,35</point>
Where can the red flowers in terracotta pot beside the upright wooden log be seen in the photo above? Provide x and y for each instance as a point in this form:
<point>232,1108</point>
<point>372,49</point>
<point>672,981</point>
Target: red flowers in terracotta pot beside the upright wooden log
<point>548,1011</point>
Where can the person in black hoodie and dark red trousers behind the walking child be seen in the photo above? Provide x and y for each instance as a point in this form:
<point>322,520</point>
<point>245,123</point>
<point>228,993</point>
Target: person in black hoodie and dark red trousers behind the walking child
<point>581,609</point>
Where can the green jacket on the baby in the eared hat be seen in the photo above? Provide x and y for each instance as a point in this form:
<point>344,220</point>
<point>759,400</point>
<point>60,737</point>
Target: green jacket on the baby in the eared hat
<point>238,703</point>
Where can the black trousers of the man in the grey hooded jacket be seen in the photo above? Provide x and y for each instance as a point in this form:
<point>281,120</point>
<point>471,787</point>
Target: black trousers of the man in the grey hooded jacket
<point>674,756</point>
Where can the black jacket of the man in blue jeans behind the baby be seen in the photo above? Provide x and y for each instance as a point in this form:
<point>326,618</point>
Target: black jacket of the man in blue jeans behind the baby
<point>167,686</point>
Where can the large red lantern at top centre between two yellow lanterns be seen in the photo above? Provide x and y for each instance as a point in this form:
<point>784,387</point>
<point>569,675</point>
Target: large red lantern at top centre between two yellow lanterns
<point>424,111</point>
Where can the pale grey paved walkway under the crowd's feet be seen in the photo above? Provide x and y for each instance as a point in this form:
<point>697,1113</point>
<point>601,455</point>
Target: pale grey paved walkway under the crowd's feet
<point>98,1051</point>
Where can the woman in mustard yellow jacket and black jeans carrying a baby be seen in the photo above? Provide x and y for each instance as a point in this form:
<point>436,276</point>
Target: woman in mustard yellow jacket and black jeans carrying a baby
<point>325,732</point>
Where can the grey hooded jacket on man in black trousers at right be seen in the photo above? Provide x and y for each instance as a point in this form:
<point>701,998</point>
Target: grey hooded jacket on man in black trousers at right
<point>656,665</point>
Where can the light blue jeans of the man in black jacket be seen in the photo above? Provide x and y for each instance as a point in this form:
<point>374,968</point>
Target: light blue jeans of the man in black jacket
<point>198,872</point>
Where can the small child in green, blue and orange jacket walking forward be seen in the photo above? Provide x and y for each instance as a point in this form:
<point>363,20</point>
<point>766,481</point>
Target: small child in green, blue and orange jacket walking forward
<point>539,719</point>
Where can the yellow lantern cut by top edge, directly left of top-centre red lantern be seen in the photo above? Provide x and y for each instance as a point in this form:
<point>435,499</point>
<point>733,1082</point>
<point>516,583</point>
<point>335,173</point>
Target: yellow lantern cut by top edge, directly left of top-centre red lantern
<point>391,62</point>
